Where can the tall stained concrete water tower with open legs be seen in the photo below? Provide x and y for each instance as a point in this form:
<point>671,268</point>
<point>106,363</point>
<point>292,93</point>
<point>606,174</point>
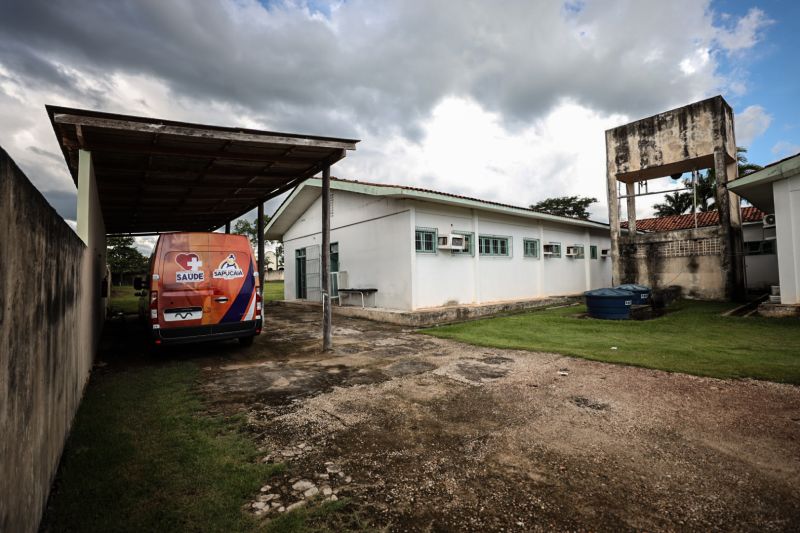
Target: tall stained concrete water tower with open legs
<point>693,137</point>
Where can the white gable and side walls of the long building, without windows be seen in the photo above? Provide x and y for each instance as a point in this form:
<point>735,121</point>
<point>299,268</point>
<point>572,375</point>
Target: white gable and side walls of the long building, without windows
<point>376,249</point>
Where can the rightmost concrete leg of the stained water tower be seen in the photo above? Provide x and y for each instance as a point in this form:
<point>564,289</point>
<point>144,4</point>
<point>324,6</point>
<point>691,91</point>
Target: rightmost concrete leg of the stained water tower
<point>731,247</point>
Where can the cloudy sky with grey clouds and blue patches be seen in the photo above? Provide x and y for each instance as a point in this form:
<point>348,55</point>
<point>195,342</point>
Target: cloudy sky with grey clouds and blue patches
<point>505,101</point>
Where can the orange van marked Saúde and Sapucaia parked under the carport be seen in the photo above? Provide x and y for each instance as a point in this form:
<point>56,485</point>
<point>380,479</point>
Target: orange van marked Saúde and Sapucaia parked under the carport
<point>204,286</point>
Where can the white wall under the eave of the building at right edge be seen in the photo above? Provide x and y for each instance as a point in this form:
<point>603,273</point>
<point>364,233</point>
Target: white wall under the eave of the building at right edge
<point>787,226</point>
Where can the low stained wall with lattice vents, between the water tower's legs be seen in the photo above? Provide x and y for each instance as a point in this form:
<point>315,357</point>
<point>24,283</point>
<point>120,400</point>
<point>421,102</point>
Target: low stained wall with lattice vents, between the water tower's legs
<point>690,259</point>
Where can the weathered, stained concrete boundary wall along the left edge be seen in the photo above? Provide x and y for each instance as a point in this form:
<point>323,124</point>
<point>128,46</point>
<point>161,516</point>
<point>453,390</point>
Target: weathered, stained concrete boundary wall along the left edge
<point>49,309</point>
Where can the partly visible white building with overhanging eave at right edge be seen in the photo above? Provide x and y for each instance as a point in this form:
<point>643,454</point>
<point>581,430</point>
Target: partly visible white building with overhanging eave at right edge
<point>775,189</point>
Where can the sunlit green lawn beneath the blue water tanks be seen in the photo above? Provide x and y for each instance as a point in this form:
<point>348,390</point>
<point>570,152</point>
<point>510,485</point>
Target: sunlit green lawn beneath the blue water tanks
<point>692,338</point>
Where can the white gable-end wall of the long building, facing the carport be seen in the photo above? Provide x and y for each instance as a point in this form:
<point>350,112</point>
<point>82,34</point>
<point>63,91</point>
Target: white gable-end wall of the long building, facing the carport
<point>374,245</point>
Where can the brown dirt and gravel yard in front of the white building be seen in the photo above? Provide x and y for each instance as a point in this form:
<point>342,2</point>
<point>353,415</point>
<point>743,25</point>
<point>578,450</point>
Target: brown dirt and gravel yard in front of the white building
<point>428,434</point>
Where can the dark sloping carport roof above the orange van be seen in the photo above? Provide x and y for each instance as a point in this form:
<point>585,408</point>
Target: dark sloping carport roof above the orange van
<point>157,175</point>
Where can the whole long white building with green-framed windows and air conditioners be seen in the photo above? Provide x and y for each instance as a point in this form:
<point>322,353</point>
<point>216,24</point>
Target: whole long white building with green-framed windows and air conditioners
<point>387,237</point>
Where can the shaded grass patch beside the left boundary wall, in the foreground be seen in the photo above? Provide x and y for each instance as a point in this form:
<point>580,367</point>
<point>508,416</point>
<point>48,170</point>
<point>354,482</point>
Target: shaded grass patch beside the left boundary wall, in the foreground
<point>143,456</point>
